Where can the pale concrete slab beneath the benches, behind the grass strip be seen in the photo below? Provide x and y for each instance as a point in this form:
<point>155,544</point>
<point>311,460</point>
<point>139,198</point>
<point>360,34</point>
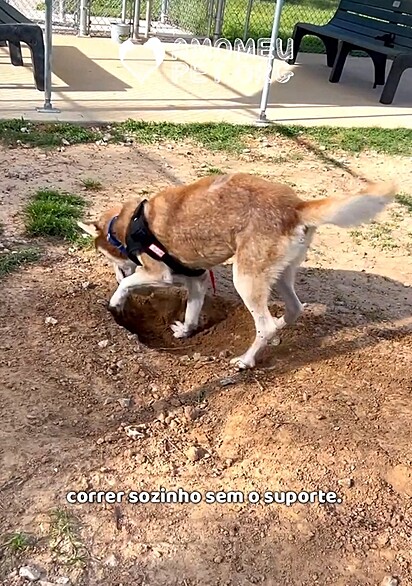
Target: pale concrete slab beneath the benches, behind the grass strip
<point>92,84</point>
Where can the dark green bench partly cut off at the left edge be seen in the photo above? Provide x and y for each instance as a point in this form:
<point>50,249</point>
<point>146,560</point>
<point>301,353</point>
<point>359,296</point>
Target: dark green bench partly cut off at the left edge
<point>15,29</point>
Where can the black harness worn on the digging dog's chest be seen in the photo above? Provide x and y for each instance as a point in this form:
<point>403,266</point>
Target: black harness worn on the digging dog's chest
<point>140,239</point>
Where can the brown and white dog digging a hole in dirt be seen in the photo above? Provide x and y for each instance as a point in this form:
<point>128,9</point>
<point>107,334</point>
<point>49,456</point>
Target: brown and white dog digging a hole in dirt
<point>264,226</point>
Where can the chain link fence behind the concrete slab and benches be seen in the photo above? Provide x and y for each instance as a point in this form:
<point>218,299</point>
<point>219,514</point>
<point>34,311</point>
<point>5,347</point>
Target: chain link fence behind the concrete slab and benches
<point>242,19</point>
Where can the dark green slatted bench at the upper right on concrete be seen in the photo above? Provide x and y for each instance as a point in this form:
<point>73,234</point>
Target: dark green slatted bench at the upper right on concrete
<point>380,28</point>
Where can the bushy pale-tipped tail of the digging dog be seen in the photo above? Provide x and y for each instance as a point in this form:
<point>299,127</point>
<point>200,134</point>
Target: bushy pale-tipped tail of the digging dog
<point>351,210</point>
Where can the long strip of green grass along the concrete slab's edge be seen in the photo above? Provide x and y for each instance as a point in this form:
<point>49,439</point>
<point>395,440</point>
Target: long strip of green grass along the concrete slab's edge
<point>231,138</point>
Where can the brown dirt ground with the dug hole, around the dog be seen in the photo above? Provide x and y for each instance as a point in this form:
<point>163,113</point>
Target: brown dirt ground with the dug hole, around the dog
<point>89,405</point>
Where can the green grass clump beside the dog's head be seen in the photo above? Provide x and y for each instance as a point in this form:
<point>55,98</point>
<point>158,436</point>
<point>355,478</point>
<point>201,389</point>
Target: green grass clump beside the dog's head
<point>54,213</point>
